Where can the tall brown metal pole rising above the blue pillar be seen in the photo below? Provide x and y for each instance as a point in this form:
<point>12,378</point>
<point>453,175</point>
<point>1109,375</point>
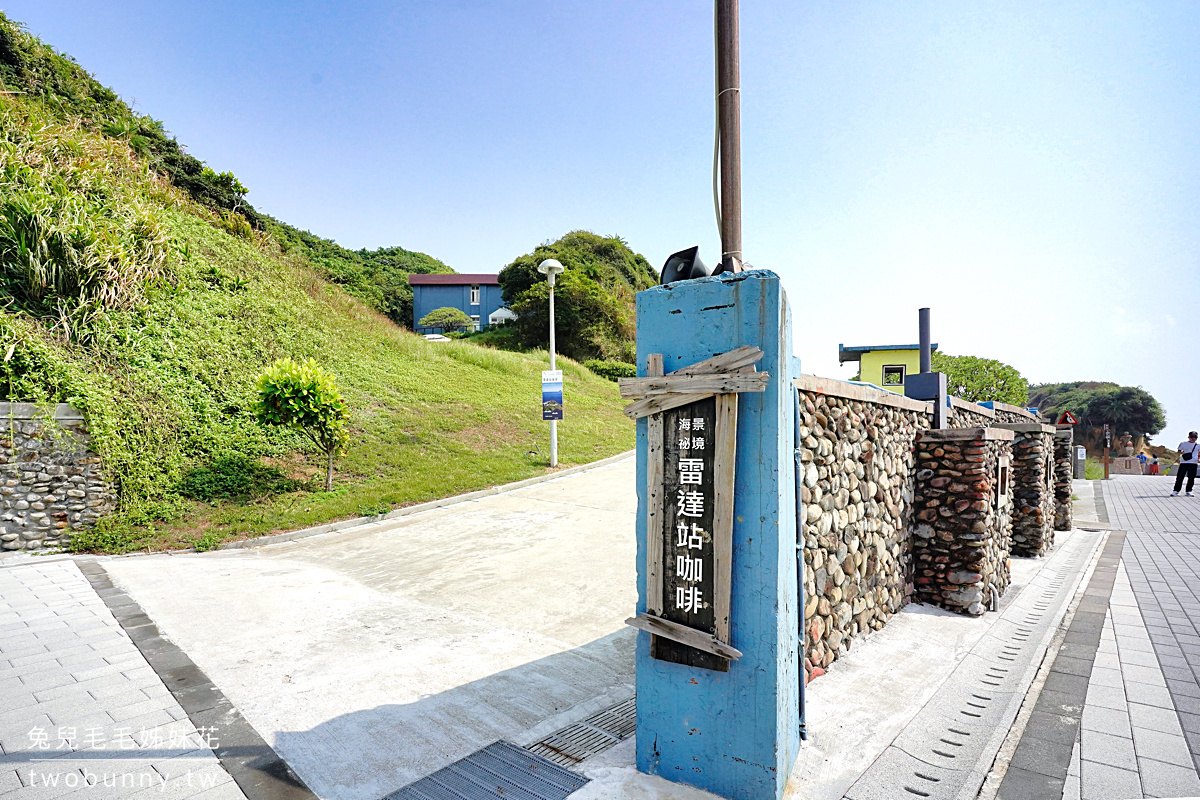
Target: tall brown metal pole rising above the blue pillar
<point>729,104</point>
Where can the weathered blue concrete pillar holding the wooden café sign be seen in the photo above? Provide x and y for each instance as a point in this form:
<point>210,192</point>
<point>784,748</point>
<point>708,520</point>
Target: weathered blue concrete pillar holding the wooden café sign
<point>734,733</point>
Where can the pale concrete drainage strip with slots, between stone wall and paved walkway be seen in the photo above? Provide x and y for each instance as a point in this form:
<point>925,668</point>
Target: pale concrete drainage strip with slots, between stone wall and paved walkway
<point>947,749</point>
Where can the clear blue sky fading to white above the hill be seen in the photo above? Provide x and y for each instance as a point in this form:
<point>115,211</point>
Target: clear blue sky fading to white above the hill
<point>1029,171</point>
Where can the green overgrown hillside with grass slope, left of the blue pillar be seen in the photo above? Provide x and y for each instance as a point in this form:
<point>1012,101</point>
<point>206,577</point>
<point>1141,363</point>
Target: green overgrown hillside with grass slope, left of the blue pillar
<point>140,292</point>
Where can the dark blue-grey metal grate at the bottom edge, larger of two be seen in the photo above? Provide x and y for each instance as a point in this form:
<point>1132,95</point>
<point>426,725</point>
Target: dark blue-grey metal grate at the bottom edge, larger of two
<point>500,772</point>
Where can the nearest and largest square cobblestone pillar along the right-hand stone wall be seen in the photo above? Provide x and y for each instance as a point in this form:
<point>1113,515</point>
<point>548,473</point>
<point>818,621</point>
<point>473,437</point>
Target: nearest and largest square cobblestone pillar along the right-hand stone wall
<point>963,527</point>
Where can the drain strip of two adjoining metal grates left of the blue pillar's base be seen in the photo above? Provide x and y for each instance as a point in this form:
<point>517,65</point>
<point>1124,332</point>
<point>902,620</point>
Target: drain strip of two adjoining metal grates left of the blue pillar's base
<point>503,771</point>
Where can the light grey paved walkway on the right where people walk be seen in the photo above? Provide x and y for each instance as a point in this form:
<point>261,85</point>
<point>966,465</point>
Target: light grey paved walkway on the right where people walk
<point>1139,735</point>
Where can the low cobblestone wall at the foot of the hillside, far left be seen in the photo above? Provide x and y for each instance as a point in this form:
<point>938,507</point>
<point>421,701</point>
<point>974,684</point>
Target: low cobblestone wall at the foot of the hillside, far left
<point>53,484</point>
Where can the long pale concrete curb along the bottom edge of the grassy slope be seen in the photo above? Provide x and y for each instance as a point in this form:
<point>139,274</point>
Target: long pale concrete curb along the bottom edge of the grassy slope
<point>345,525</point>
